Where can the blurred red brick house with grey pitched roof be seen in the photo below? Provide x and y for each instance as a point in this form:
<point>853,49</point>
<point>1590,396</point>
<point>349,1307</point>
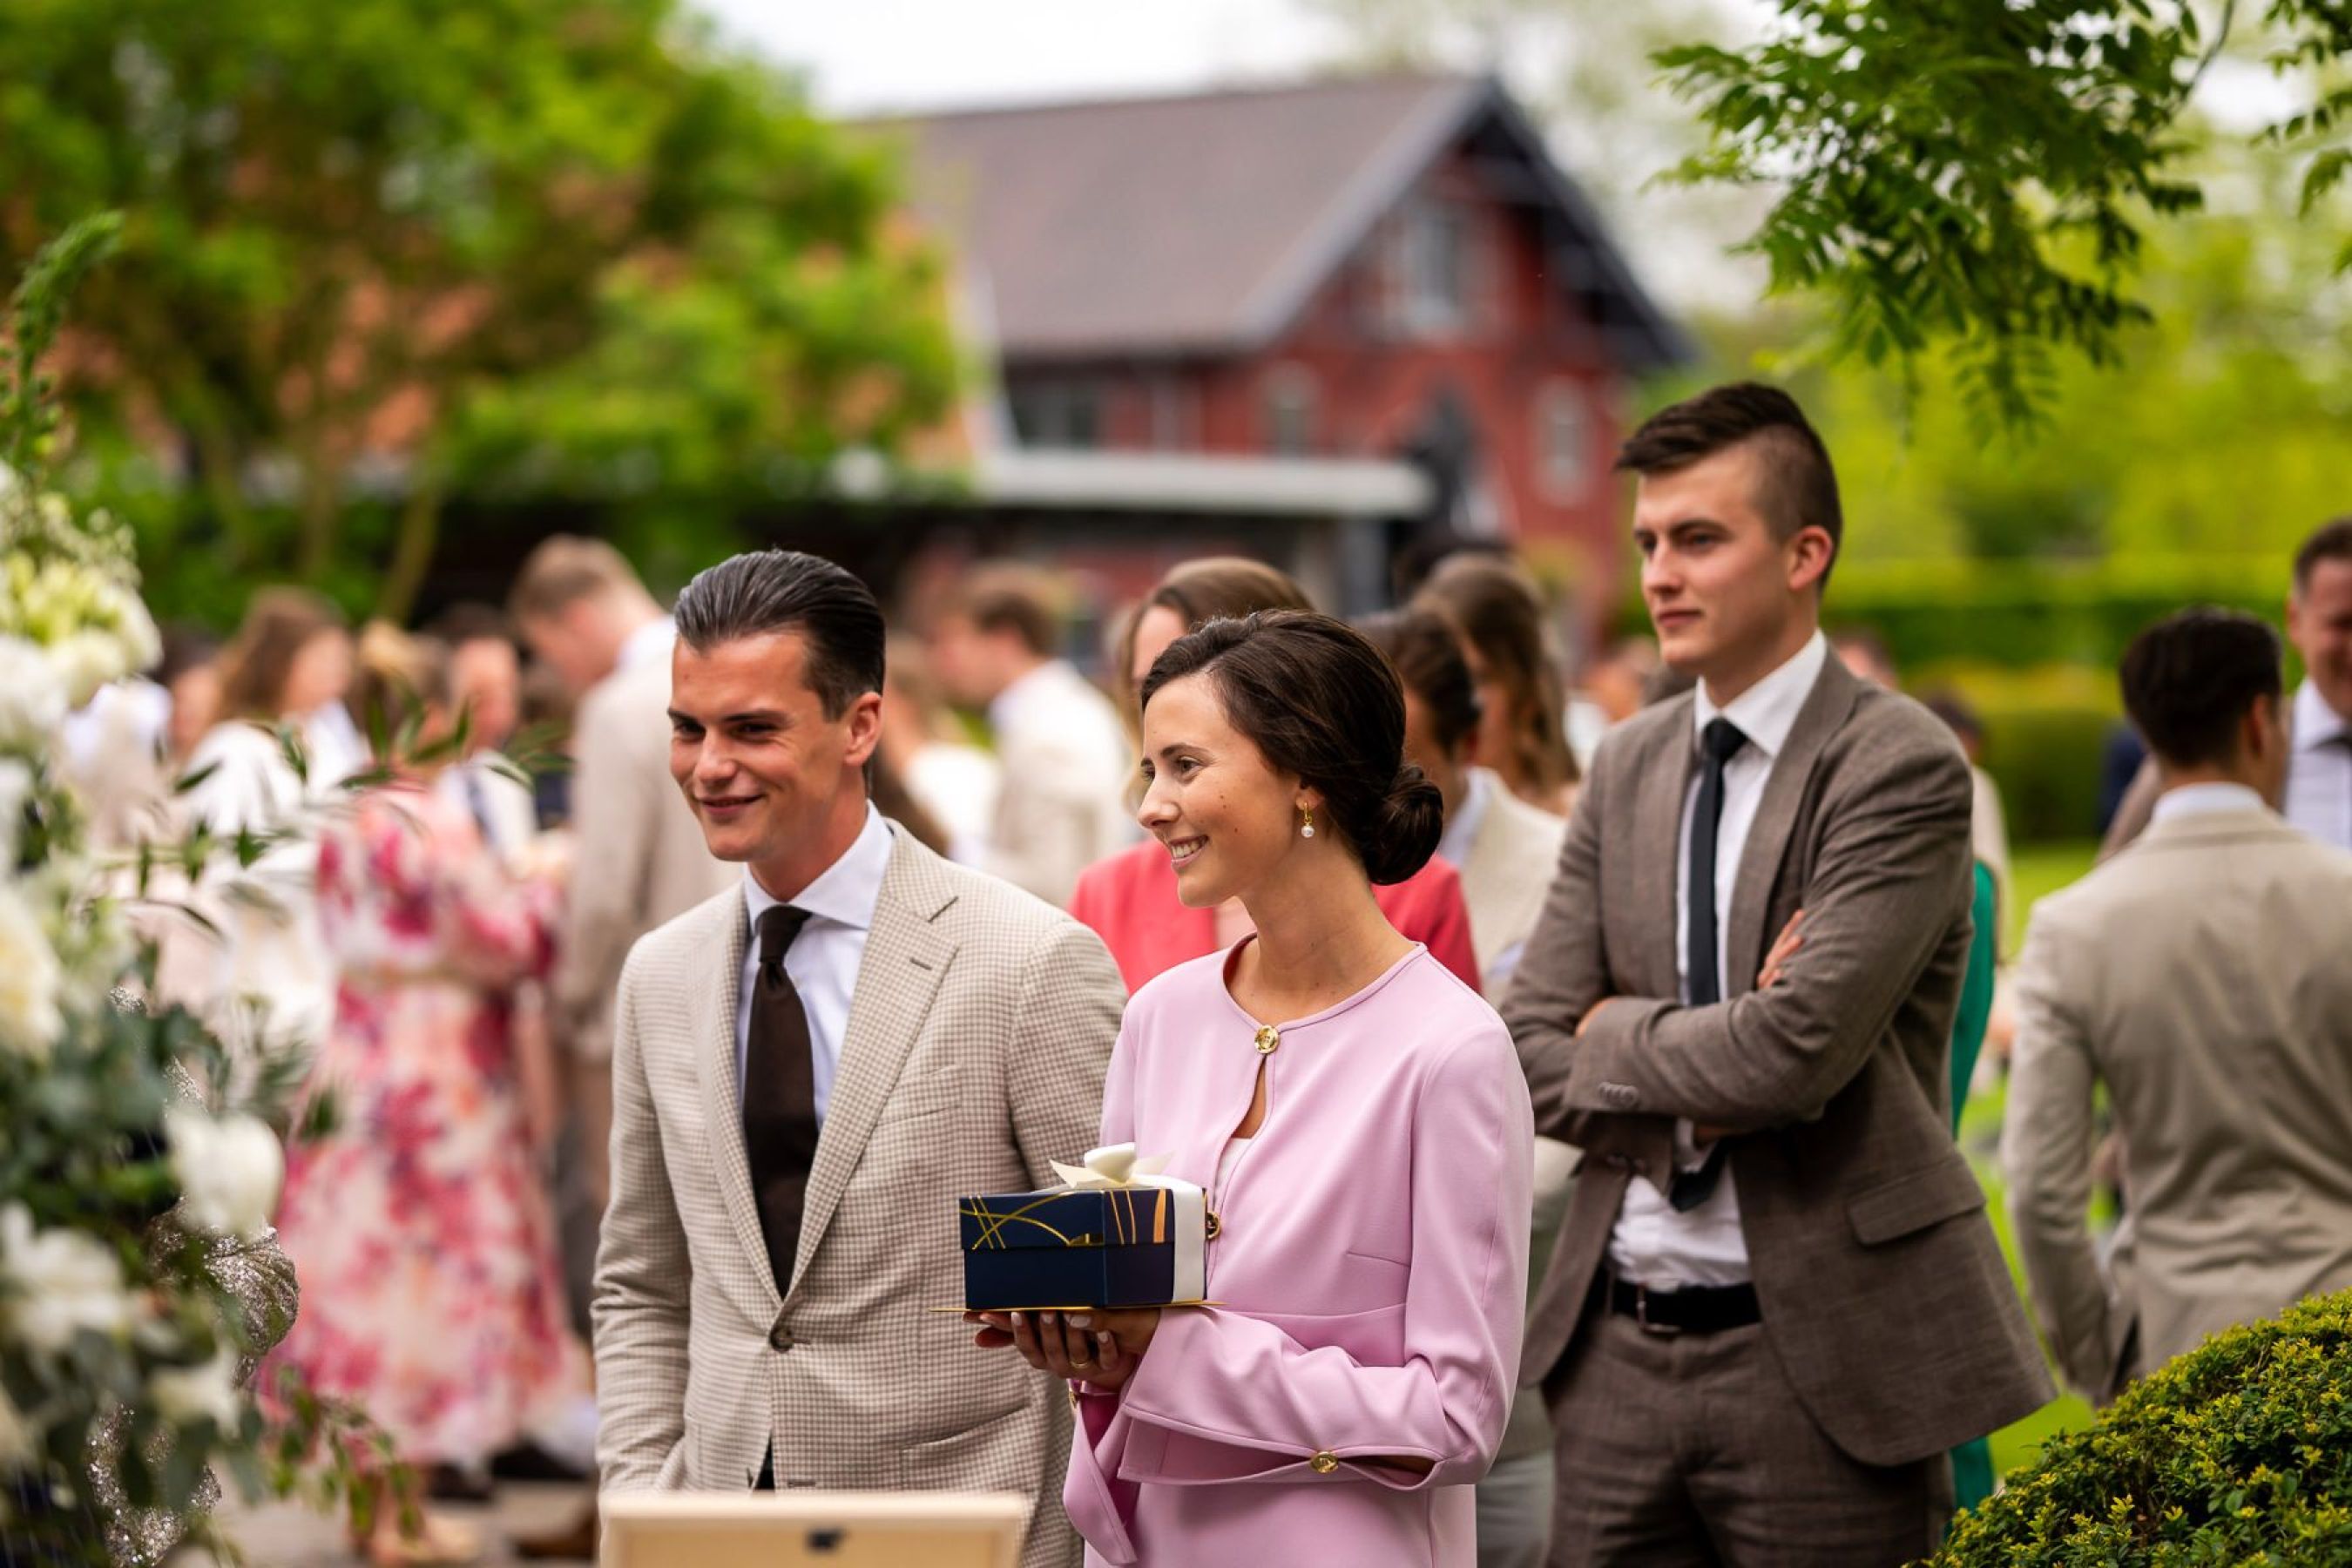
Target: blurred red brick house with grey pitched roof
<point>1351,269</point>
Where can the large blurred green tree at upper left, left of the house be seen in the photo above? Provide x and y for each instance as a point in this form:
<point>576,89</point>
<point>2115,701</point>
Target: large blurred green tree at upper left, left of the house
<point>394,250</point>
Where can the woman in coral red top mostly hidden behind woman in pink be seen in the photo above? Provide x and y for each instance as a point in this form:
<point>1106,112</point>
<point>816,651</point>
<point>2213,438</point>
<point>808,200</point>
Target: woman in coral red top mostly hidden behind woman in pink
<point>1130,899</point>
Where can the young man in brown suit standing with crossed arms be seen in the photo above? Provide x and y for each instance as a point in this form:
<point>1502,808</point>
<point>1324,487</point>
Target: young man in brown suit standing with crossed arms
<point>1777,1299</point>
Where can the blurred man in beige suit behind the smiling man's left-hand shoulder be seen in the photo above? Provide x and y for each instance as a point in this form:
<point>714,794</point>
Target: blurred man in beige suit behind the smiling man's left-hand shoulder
<point>639,855</point>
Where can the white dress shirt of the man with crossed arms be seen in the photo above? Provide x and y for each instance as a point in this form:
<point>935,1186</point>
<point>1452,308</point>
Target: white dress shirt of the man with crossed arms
<point>1704,1247</point>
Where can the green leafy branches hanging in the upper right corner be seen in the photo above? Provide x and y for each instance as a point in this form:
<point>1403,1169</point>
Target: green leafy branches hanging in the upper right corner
<point>1979,175</point>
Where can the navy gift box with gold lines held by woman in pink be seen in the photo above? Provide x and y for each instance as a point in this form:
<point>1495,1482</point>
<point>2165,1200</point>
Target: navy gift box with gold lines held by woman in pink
<point>1085,1247</point>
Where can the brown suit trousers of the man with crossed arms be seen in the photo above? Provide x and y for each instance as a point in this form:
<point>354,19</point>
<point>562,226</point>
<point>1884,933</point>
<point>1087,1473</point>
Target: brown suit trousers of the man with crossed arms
<point>1697,1452</point>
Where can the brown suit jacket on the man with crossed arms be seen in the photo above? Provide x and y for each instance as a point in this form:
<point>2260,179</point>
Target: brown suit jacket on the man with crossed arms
<point>1885,1294</point>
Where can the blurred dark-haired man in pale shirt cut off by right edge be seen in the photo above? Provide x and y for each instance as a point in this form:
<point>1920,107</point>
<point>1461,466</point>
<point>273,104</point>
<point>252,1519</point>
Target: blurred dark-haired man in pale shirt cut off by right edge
<point>2318,793</point>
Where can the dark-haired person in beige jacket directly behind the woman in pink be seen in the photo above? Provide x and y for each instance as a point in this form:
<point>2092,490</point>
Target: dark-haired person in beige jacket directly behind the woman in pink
<point>1506,852</point>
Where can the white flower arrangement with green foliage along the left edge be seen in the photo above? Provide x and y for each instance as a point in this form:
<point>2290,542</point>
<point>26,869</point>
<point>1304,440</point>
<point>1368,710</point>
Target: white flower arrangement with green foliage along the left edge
<point>140,1165</point>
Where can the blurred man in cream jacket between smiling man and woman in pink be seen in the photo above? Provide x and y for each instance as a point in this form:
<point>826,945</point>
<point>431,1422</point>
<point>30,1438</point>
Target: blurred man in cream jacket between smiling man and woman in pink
<point>1067,760</point>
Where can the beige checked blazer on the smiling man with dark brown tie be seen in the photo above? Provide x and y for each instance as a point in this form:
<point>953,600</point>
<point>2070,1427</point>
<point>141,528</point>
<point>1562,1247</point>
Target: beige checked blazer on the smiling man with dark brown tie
<point>973,1059</point>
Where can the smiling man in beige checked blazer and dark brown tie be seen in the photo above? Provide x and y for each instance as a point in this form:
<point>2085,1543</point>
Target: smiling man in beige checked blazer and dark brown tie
<point>808,1071</point>
